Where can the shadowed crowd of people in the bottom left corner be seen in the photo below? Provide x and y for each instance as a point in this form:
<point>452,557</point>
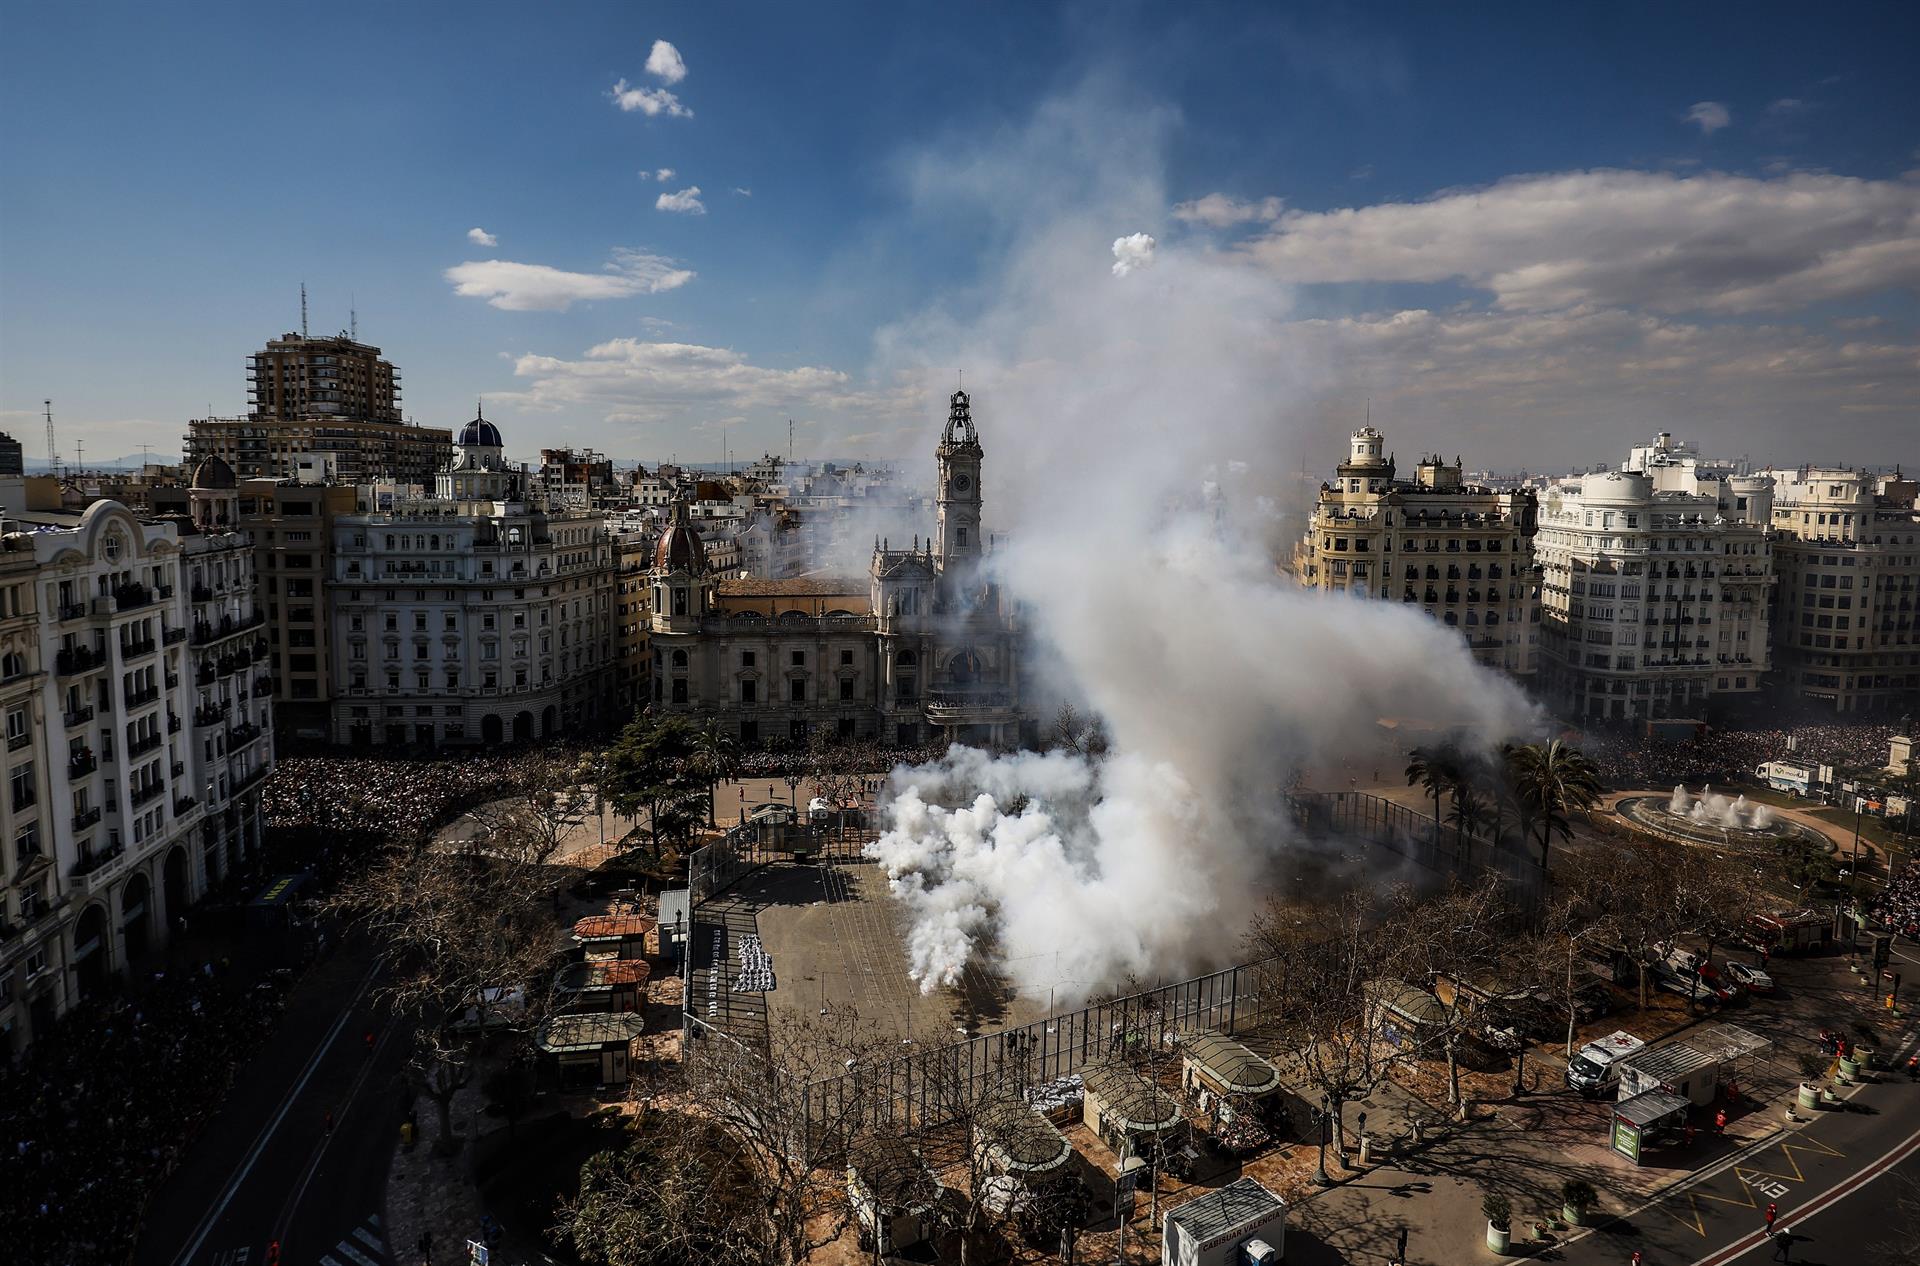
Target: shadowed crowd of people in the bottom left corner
<point>99,1111</point>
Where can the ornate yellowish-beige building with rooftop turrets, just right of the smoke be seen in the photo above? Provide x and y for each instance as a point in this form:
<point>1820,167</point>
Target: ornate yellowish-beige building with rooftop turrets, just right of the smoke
<point>1456,550</point>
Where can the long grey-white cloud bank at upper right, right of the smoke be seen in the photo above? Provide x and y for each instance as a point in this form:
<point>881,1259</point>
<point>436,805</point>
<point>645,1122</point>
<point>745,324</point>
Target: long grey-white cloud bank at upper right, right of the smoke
<point>1710,243</point>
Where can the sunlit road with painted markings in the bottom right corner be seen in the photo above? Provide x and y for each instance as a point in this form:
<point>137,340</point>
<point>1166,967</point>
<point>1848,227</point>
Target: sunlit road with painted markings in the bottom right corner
<point>1836,1184</point>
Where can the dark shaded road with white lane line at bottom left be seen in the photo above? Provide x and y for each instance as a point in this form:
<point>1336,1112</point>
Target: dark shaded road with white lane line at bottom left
<point>268,1169</point>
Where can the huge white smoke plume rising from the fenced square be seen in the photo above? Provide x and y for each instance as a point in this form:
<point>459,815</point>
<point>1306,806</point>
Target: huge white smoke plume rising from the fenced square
<point>1140,431</point>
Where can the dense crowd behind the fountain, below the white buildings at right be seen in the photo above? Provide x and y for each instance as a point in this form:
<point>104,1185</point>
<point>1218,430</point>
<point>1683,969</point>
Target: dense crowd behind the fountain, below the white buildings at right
<point>1727,756</point>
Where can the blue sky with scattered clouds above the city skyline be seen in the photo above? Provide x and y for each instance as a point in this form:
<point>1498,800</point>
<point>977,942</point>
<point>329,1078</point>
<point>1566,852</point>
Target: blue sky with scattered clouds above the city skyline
<point>1527,233</point>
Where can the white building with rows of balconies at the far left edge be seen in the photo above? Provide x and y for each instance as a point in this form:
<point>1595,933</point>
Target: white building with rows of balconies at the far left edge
<point>118,812</point>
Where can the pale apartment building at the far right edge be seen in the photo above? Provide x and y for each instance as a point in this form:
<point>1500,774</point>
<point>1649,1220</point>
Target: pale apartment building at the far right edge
<point>1848,610</point>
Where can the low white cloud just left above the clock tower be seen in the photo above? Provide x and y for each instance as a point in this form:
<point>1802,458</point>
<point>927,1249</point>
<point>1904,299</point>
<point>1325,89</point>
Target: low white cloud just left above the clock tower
<point>677,385</point>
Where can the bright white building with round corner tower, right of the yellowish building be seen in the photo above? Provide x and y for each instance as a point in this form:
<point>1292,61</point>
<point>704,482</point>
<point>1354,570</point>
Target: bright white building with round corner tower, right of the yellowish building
<point>1656,589</point>
